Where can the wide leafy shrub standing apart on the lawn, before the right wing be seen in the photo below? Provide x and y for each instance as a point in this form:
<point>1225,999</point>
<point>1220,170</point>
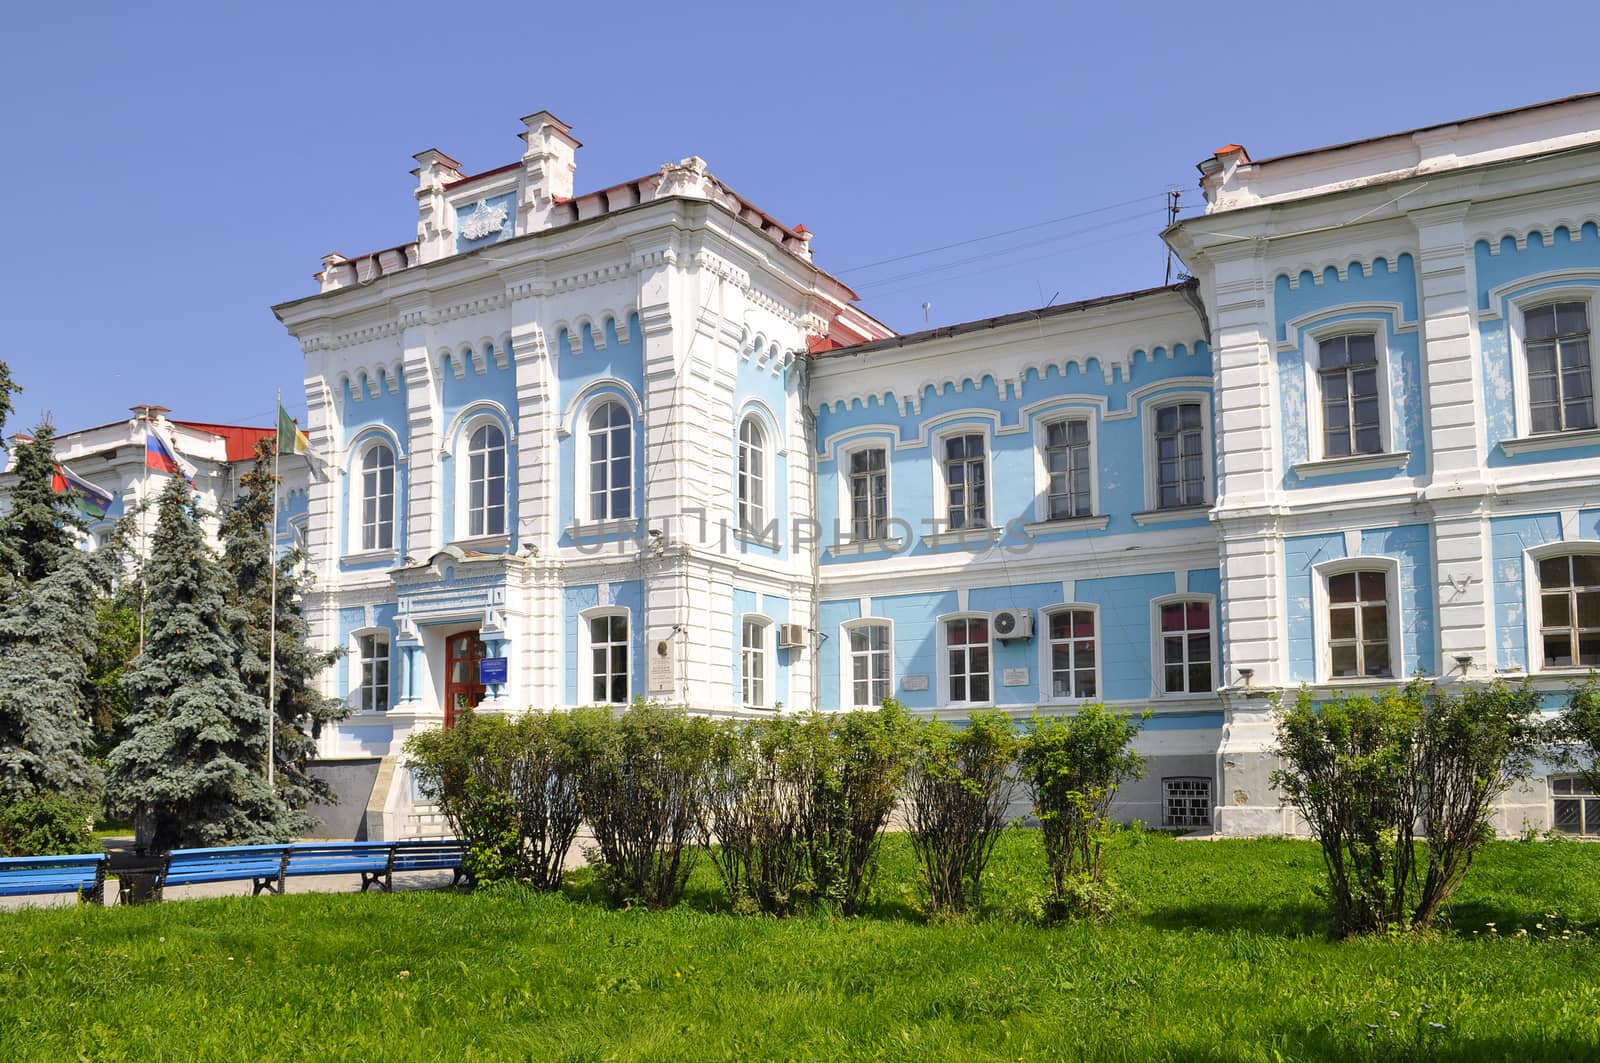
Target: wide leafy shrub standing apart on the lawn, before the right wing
<point>1375,776</point>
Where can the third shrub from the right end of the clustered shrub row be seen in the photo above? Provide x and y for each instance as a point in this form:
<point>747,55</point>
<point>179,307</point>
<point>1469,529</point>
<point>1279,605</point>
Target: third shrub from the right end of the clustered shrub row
<point>855,764</point>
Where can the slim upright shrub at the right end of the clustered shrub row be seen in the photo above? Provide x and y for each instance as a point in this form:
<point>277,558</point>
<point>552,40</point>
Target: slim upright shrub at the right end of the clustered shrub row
<point>1073,768</point>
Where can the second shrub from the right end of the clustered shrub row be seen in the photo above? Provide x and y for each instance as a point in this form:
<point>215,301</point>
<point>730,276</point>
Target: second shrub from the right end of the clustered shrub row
<point>958,793</point>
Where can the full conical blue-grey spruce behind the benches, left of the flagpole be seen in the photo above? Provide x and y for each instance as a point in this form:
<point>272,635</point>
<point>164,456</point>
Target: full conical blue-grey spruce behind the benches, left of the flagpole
<point>193,768</point>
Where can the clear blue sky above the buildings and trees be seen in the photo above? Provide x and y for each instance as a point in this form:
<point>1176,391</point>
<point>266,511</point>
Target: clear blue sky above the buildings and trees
<point>175,170</point>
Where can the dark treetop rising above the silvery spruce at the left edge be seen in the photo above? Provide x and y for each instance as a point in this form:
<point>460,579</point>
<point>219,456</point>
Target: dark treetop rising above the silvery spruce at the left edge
<point>42,527</point>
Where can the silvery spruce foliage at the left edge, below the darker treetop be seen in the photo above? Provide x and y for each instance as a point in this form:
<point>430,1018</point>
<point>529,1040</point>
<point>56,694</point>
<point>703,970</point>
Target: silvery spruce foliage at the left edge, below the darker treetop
<point>47,640</point>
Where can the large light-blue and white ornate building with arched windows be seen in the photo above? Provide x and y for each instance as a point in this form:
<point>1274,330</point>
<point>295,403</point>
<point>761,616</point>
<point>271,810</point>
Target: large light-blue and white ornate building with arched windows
<point>634,443</point>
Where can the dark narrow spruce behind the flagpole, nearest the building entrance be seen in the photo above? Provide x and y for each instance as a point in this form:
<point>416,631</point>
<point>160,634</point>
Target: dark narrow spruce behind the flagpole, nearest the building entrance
<point>249,547</point>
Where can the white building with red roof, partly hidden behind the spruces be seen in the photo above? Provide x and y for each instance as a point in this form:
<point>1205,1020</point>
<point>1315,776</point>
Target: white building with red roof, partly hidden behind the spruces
<point>113,459</point>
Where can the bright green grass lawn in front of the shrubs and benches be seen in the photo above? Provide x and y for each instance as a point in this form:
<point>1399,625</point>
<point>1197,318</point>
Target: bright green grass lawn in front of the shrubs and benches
<point>1222,958</point>
